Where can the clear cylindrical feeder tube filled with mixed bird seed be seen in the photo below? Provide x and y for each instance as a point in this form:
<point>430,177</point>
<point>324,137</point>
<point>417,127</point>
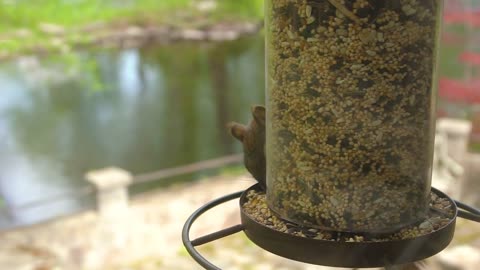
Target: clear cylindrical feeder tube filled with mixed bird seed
<point>351,92</point>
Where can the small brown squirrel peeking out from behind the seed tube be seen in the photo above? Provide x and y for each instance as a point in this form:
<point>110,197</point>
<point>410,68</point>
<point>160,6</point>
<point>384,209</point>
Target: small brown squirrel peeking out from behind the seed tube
<point>252,137</point>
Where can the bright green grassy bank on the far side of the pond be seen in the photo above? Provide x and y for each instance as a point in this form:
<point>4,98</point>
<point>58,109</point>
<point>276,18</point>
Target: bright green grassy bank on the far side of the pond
<point>21,22</point>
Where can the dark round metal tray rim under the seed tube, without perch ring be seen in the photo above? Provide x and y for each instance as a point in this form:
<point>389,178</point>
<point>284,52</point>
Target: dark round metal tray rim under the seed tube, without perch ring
<point>349,254</point>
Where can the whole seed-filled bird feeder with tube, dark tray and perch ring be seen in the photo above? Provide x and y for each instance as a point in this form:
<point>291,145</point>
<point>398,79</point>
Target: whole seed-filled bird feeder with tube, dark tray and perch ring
<point>350,126</point>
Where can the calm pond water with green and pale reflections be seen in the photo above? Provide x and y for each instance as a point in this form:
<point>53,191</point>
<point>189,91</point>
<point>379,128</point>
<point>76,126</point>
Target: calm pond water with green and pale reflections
<point>138,109</point>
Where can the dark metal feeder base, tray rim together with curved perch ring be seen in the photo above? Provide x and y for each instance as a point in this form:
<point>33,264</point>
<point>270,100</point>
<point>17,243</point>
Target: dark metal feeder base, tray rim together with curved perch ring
<point>327,252</point>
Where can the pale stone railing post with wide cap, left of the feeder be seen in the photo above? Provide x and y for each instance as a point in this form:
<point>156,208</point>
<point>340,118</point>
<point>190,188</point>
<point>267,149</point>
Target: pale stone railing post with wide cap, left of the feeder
<point>112,190</point>
